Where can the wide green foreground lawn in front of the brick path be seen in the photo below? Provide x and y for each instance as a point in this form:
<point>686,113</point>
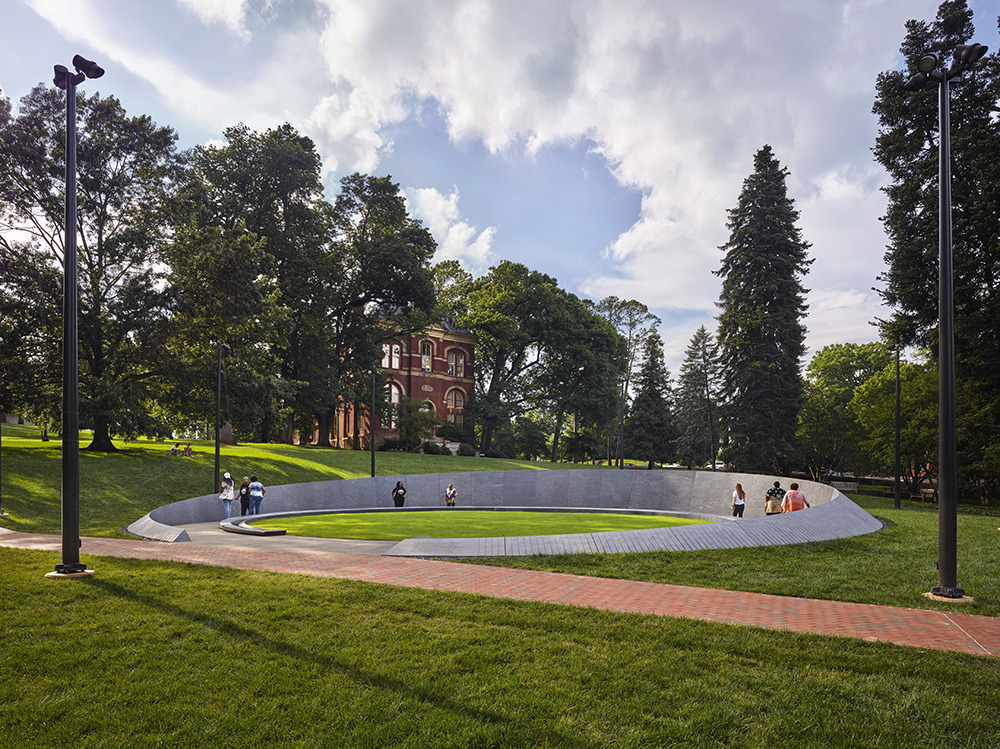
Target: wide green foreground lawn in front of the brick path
<point>150,654</point>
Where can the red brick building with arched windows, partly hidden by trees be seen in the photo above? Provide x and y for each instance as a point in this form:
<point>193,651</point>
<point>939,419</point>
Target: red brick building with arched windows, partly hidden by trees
<point>436,366</point>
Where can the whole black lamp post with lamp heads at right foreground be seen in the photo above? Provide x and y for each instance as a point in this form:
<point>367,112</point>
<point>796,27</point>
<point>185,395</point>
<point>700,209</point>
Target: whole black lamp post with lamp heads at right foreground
<point>930,71</point>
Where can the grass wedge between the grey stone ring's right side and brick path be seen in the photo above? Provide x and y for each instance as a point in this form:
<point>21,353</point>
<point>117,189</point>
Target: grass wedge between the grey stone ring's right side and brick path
<point>894,566</point>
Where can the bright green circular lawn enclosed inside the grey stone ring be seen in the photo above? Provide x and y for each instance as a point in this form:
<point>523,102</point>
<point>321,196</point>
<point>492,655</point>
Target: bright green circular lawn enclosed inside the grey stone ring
<point>396,526</point>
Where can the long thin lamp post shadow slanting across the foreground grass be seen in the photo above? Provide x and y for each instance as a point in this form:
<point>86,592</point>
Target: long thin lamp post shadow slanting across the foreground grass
<point>532,736</point>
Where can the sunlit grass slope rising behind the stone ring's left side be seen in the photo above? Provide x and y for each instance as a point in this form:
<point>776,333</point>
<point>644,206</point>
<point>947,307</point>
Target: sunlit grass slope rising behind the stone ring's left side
<point>118,488</point>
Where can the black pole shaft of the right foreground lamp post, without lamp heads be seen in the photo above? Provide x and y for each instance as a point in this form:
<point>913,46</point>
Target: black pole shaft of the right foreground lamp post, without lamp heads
<point>947,436</point>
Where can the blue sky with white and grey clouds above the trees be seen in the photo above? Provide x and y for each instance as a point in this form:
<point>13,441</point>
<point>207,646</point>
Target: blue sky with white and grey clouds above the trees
<point>598,141</point>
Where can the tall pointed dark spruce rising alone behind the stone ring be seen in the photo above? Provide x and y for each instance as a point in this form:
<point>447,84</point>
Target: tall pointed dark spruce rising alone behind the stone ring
<point>761,334</point>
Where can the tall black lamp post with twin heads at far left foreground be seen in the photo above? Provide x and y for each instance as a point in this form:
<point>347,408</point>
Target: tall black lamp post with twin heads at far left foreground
<point>71,564</point>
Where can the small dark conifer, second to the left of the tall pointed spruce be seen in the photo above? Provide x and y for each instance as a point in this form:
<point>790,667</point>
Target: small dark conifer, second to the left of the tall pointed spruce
<point>649,429</point>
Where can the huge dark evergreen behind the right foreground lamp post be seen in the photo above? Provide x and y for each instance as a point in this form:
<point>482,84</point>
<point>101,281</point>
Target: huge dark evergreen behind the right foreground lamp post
<point>907,147</point>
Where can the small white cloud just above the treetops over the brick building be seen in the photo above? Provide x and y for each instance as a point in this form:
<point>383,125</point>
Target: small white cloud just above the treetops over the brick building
<point>457,240</point>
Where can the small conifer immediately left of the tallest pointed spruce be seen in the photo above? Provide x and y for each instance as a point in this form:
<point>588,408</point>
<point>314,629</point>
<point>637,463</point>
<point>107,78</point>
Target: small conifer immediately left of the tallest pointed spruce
<point>698,398</point>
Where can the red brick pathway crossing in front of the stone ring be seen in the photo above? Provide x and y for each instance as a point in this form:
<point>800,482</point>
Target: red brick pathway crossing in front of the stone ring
<point>938,630</point>
